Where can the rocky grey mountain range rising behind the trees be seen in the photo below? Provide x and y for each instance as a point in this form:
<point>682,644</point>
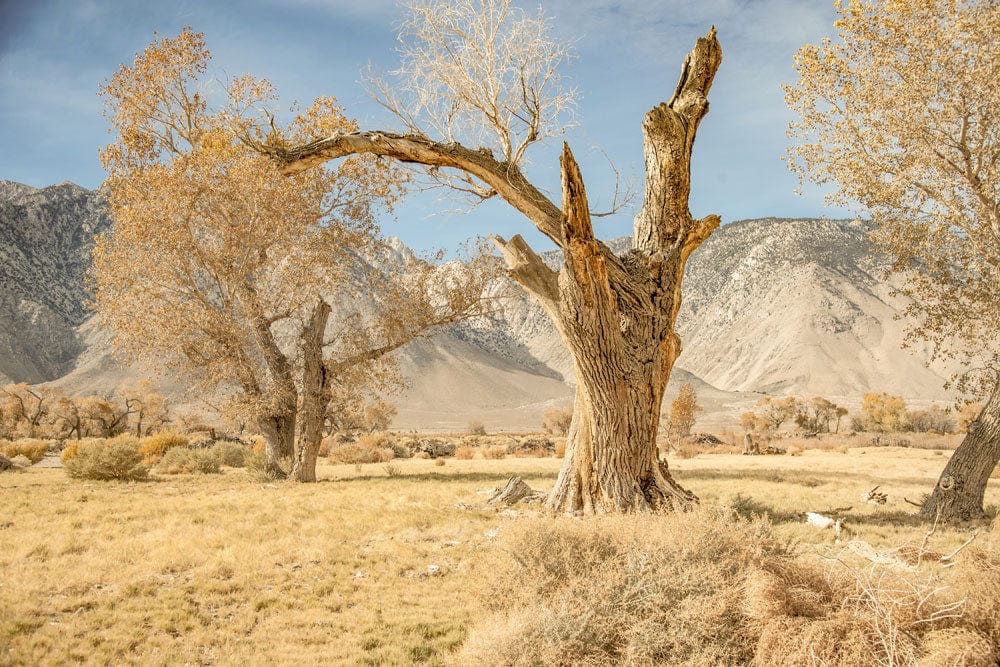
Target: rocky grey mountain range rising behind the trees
<point>771,306</point>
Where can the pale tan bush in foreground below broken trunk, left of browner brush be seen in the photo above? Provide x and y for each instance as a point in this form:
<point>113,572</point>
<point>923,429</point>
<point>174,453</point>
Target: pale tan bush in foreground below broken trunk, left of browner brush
<point>660,589</point>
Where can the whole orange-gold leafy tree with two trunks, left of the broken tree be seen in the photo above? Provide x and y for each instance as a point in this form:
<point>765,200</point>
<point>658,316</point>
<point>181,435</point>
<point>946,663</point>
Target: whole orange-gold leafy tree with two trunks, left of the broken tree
<point>228,275</point>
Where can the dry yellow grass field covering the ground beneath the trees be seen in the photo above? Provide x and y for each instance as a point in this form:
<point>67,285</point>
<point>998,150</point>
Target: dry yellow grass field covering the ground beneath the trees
<point>372,565</point>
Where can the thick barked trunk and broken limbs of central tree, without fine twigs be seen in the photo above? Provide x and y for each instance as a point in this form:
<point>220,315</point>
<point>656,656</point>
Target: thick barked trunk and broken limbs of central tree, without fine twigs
<point>616,315</point>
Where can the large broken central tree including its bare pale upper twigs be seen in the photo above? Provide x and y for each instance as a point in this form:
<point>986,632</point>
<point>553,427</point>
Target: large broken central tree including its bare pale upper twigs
<point>478,87</point>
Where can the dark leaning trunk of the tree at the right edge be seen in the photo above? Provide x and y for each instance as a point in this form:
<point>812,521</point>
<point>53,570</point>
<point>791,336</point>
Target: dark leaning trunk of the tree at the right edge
<point>961,488</point>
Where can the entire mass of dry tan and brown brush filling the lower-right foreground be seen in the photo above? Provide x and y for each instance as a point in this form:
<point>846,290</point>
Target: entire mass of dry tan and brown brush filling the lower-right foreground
<point>706,588</point>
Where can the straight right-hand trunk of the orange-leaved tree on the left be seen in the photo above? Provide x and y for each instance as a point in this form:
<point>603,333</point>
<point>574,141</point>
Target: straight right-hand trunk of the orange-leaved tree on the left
<point>315,396</point>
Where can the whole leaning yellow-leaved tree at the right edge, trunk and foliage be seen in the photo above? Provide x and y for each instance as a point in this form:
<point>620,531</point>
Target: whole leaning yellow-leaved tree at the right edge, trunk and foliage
<point>900,114</point>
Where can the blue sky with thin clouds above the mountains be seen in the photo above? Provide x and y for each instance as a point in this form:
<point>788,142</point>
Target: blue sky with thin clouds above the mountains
<point>54,53</point>
